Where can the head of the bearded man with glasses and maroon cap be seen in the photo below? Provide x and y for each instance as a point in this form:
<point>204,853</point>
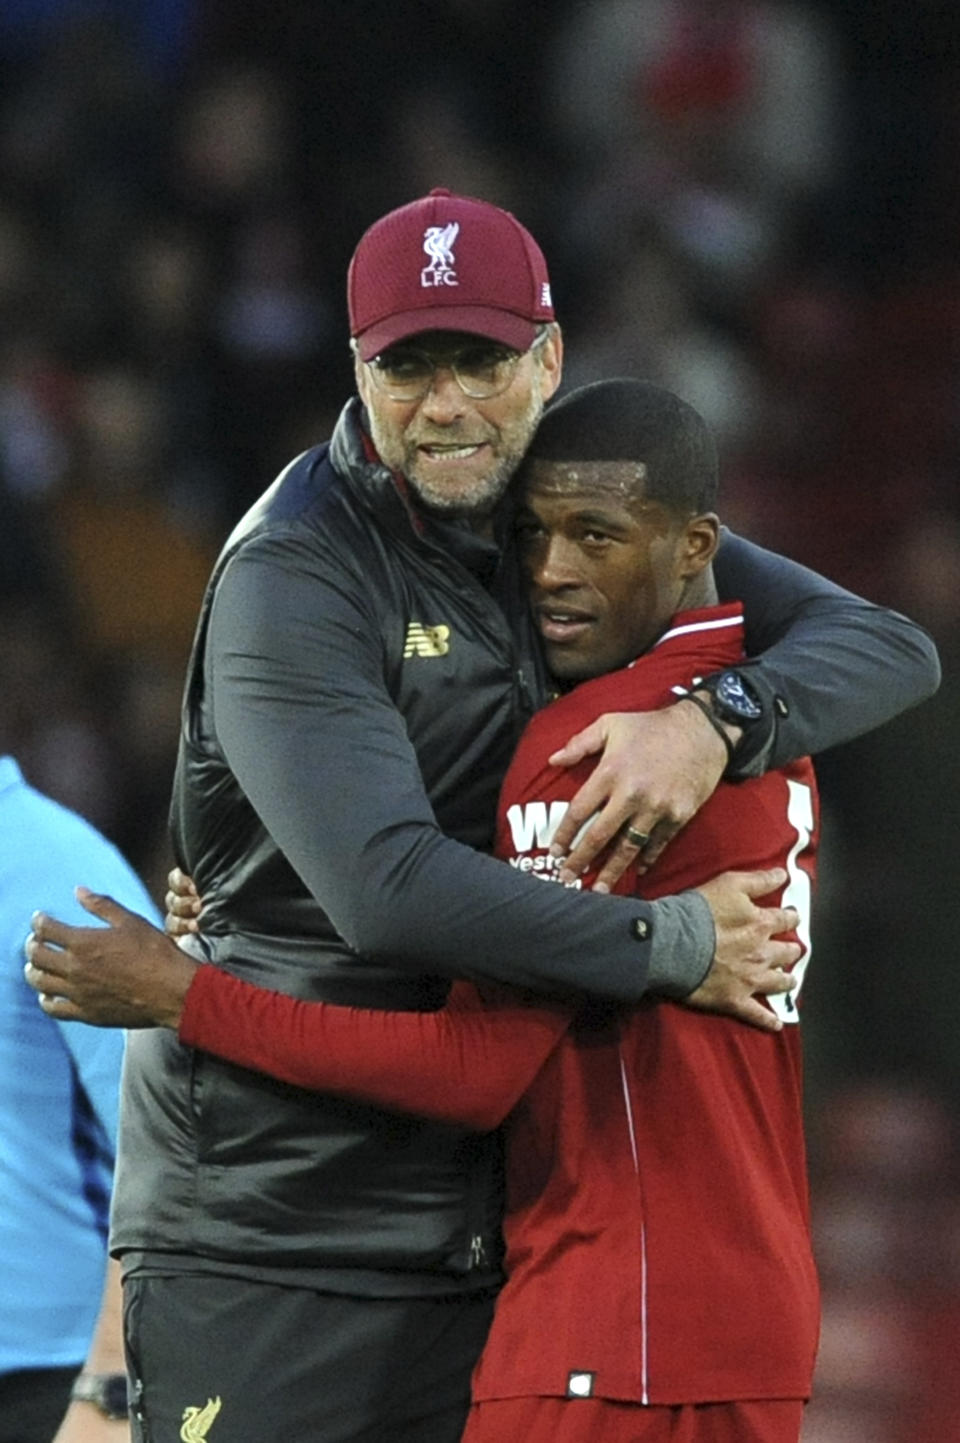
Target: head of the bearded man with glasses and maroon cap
<point>453,279</point>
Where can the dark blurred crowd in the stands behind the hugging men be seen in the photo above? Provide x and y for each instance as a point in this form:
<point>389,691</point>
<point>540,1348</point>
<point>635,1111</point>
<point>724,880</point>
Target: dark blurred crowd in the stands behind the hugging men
<point>750,201</point>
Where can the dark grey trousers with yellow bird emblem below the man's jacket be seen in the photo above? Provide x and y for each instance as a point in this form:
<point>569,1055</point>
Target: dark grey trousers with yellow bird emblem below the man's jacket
<point>242,1361</point>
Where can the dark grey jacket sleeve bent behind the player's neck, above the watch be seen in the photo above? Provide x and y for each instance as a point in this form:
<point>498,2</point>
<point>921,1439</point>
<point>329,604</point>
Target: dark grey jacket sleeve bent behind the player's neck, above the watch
<point>826,665</point>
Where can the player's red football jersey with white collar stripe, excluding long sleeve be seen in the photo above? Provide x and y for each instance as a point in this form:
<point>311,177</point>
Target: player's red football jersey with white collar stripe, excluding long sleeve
<point>658,1221</point>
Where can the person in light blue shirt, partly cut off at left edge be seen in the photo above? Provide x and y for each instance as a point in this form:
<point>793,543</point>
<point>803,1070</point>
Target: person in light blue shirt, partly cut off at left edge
<point>58,1133</point>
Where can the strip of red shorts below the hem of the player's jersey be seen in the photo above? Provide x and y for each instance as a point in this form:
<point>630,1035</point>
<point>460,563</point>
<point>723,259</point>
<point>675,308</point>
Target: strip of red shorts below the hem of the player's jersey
<point>597,1421</point>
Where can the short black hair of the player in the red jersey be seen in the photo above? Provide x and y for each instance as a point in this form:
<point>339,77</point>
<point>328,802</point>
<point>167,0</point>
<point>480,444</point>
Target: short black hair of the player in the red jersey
<point>636,421</point>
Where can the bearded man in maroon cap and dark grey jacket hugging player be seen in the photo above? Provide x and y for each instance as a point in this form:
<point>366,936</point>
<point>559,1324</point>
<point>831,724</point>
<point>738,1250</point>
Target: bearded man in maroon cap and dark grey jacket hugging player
<point>302,1266</point>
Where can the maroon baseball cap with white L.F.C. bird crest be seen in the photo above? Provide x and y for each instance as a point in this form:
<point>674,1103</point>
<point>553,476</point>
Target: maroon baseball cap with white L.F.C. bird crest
<point>447,263</point>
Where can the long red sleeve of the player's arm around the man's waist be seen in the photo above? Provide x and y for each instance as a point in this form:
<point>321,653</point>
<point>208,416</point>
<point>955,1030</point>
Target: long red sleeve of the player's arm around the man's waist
<point>468,1064</point>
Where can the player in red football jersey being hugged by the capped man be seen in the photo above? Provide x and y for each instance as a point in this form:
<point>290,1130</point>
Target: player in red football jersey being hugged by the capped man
<point>660,1281</point>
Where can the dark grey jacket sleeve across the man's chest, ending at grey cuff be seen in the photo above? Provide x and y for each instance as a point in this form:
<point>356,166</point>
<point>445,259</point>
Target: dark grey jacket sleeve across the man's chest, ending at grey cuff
<point>301,708</point>
